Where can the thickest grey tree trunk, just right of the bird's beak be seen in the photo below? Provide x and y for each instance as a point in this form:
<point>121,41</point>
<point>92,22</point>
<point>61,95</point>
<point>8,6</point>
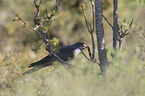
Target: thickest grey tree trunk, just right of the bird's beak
<point>100,36</point>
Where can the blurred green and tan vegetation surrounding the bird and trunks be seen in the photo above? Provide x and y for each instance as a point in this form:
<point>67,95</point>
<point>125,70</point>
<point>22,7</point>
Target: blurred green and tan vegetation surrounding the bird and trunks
<point>126,76</point>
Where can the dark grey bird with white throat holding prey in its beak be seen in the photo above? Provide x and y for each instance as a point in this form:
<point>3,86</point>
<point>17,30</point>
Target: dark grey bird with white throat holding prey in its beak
<point>65,53</point>
